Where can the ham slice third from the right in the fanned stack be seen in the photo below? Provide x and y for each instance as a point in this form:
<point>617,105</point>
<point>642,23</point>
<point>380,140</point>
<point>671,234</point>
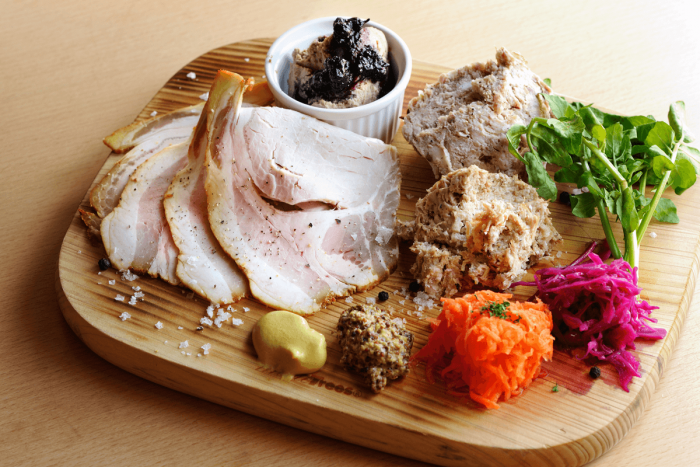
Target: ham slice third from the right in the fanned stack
<point>136,234</point>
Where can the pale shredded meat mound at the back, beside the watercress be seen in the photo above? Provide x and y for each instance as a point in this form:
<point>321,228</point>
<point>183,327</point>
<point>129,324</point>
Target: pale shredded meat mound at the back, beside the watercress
<point>462,119</point>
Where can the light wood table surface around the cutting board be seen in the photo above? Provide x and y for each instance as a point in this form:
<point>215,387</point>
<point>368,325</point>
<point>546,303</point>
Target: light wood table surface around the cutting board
<point>73,71</point>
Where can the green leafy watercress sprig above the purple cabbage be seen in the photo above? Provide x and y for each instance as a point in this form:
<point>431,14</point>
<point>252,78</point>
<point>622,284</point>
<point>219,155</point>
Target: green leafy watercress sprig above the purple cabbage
<point>605,155</point>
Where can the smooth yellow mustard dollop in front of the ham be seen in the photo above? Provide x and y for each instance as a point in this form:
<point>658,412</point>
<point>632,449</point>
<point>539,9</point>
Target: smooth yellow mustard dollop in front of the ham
<point>285,342</point>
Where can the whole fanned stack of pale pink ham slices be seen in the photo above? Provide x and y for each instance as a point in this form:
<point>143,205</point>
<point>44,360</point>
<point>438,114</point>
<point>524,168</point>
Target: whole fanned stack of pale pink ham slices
<point>257,200</point>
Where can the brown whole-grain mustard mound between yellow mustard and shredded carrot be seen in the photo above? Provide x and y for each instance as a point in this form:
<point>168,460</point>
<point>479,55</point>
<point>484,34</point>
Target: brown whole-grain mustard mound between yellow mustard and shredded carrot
<point>374,344</point>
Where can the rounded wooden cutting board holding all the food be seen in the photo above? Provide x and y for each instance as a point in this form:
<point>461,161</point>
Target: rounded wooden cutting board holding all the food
<point>410,418</point>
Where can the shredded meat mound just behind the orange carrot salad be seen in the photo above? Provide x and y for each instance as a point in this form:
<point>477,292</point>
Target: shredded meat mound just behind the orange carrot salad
<point>478,228</point>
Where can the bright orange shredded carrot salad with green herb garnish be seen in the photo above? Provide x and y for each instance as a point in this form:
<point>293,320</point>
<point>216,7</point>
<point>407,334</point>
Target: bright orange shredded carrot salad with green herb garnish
<point>489,345</point>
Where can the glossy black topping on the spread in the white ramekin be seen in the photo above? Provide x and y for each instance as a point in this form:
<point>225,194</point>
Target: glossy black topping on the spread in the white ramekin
<point>350,63</point>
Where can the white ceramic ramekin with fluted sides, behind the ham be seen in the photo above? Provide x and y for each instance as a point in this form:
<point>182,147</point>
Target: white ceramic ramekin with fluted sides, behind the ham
<point>379,119</point>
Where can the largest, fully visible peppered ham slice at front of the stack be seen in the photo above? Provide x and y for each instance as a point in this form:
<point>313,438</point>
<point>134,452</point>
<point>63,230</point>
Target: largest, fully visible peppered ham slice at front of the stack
<point>307,210</point>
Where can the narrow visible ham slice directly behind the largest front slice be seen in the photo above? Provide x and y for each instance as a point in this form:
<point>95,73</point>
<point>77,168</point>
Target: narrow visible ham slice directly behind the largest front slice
<point>202,265</point>
